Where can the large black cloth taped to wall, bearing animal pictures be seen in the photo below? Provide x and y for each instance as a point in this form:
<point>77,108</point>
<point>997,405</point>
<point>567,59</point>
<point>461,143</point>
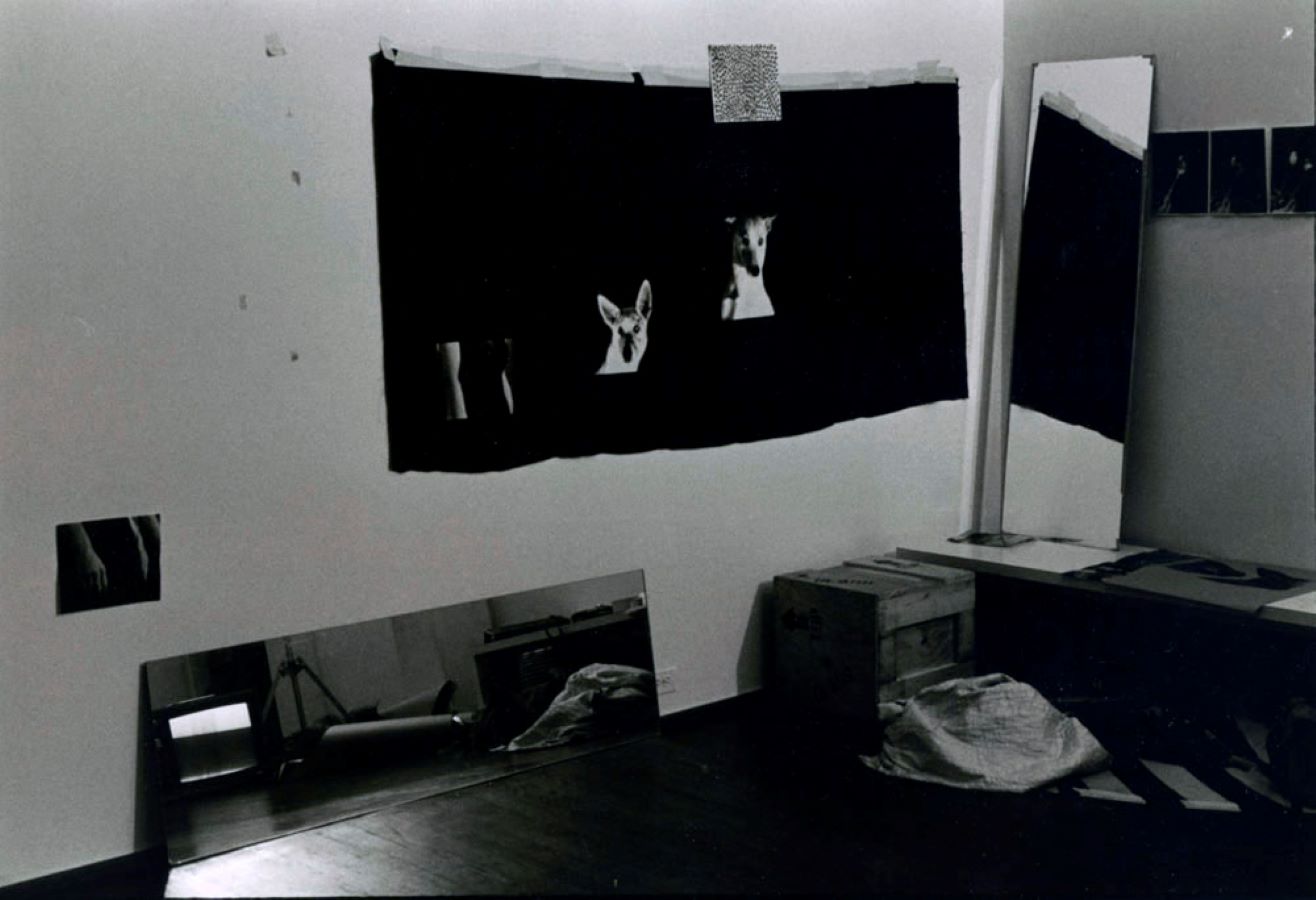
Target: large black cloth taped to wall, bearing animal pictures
<point>509,205</point>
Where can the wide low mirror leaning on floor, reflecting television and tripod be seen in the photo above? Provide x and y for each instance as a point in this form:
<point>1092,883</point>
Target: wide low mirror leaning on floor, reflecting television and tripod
<point>278,736</point>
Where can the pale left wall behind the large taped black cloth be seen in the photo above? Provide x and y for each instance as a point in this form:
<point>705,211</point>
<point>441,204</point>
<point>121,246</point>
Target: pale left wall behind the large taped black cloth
<point>145,186</point>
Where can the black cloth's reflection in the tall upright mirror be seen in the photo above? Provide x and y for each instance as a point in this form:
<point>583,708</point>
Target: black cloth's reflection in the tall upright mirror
<point>1078,278</point>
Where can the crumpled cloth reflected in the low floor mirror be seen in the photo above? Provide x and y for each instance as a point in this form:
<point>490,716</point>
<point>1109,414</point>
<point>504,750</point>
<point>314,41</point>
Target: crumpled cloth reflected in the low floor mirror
<point>594,701</point>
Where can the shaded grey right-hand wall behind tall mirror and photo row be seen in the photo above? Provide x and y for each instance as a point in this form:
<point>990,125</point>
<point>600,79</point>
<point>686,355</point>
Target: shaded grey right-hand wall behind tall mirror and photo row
<point>1221,448</point>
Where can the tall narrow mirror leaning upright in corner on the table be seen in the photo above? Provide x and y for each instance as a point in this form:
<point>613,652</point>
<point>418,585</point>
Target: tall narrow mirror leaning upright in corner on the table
<point>1078,284</point>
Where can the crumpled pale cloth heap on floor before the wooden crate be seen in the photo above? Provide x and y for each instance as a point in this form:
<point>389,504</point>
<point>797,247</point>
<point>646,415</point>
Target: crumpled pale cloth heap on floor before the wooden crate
<point>990,734</point>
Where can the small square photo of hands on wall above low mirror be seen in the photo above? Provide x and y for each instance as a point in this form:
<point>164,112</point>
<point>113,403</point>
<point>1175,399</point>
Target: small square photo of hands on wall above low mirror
<point>107,562</point>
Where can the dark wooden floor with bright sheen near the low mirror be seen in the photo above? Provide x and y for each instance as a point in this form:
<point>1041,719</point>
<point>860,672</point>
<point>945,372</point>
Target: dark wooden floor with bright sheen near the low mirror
<point>746,805</point>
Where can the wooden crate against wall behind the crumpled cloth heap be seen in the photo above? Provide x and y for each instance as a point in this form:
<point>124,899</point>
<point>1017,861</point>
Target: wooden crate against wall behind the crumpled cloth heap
<point>874,630</point>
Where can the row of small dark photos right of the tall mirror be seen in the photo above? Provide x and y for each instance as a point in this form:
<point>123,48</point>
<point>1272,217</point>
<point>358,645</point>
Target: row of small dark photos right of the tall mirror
<point>1235,173</point>
